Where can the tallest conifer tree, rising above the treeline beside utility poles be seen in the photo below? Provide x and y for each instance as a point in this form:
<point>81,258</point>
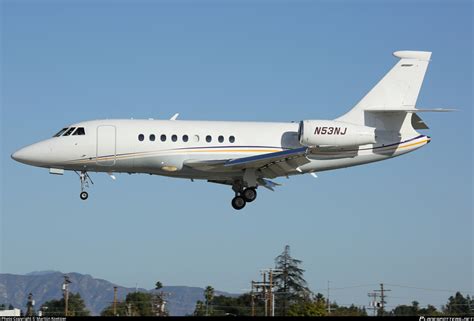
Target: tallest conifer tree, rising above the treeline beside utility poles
<point>291,286</point>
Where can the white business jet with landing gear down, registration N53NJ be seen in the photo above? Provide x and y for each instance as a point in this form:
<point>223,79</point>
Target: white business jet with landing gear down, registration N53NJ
<point>246,155</point>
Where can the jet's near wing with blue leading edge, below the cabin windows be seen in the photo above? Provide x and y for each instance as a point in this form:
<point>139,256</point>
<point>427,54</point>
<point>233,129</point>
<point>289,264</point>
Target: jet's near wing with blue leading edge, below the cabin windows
<point>271,164</point>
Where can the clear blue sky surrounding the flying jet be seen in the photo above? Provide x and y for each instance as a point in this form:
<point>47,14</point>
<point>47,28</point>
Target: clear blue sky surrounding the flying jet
<point>406,221</point>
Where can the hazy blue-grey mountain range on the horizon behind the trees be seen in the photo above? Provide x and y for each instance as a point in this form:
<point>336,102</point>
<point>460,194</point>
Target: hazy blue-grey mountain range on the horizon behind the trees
<point>96,293</point>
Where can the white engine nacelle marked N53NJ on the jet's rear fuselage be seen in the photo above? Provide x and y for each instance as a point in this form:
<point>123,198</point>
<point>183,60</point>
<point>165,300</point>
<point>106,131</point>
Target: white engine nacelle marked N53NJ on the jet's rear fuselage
<point>334,133</point>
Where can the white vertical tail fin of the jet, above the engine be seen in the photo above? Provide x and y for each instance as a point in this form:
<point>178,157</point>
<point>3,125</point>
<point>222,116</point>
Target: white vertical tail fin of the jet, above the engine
<point>386,106</point>
